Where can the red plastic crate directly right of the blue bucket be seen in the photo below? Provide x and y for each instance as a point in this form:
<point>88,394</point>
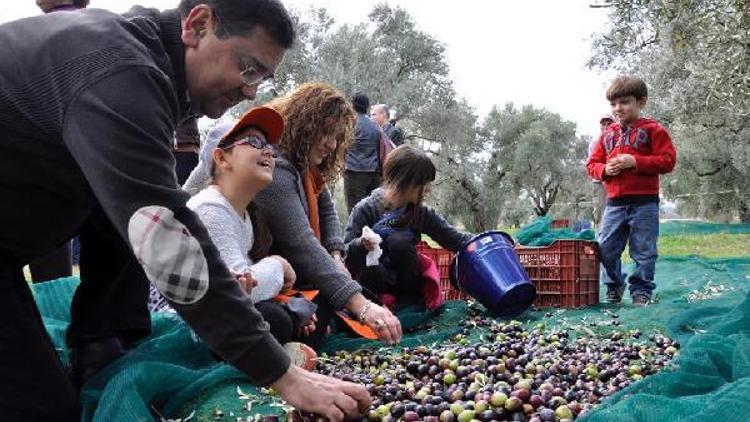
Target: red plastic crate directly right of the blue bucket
<point>565,274</point>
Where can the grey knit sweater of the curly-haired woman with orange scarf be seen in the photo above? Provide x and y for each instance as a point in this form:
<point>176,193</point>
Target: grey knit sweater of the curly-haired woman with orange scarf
<point>285,206</point>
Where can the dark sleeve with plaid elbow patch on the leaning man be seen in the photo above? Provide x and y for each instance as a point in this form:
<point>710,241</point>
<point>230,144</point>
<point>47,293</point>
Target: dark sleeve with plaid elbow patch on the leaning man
<point>119,131</point>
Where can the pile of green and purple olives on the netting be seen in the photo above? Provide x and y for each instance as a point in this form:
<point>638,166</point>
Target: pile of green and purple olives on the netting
<point>512,373</point>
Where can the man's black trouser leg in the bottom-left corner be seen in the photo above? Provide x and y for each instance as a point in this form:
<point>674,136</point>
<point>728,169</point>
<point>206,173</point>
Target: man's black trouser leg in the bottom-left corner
<point>34,385</point>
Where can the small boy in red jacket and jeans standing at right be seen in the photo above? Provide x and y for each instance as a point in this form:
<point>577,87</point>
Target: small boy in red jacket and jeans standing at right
<point>629,157</point>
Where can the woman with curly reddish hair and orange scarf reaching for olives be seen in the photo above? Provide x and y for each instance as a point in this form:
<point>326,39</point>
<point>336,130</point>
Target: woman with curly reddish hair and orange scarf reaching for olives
<point>319,125</point>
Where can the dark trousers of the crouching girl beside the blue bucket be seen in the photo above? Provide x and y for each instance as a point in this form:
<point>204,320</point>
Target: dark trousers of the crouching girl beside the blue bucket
<point>398,270</point>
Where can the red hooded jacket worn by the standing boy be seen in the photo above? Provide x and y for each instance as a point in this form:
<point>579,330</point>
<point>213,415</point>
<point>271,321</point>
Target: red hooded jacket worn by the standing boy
<point>652,148</point>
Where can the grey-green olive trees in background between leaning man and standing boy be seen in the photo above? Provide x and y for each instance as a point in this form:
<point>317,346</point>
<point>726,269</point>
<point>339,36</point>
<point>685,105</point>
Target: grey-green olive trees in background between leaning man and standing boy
<point>516,164</point>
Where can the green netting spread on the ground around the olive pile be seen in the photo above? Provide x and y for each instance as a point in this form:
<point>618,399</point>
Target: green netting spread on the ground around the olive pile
<point>174,372</point>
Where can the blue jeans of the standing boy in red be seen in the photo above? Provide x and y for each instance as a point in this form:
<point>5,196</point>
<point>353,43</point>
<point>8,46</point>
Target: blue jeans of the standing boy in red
<point>638,226</point>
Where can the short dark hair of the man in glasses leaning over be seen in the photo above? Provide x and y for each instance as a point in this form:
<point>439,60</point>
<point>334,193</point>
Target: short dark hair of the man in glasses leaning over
<point>240,17</point>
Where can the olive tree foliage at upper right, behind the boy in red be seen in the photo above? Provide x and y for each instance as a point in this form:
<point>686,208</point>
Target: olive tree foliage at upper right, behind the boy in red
<point>695,56</point>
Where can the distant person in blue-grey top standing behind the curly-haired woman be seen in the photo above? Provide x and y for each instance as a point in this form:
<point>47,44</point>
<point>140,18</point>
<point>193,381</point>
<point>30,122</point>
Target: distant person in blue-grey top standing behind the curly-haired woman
<point>361,174</point>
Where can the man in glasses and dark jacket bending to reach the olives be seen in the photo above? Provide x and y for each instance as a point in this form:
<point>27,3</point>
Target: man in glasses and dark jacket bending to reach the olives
<point>89,101</point>
